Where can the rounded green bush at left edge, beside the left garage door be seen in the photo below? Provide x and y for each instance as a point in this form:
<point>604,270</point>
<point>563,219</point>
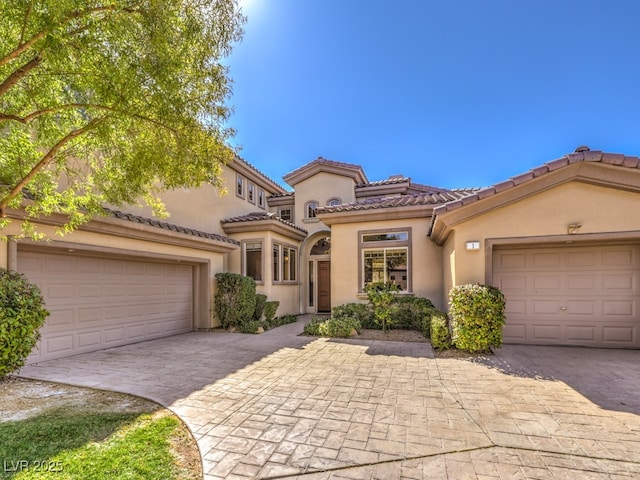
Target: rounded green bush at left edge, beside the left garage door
<point>21,316</point>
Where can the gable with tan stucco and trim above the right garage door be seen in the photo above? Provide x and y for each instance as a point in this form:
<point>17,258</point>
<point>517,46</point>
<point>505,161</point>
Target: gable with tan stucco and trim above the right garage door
<point>581,190</point>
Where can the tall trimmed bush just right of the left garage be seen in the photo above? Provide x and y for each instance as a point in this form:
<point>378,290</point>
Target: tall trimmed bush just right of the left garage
<point>235,299</point>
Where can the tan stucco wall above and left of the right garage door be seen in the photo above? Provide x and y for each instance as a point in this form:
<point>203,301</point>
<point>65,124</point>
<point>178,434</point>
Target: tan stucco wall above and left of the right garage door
<point>598,209</point>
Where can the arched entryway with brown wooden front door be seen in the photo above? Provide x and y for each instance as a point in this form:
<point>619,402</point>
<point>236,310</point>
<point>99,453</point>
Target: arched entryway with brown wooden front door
<point>317,288</point>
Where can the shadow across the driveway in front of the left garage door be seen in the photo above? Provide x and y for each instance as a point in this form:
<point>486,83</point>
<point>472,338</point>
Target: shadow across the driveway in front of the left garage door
<point>169,369</point>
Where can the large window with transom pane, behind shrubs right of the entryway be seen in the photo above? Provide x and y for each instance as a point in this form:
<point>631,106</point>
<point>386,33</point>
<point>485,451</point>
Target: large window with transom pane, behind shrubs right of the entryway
<point>385,257</point>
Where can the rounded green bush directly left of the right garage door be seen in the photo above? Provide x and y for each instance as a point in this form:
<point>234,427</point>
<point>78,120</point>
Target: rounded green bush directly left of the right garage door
<point>477,317</point>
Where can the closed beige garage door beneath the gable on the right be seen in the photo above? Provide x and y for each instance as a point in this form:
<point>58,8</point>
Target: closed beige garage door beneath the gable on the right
<point>570,295</point>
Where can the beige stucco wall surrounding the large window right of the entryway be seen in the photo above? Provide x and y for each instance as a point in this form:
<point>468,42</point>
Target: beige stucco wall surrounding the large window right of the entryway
<point>426,260</point>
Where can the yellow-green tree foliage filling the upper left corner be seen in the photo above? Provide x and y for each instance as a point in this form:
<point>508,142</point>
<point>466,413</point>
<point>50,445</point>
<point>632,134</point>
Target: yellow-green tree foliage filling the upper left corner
<point>111,101</point>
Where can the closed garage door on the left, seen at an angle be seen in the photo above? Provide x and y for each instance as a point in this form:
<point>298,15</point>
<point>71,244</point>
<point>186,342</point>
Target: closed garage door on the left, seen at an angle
<point>97,303</point>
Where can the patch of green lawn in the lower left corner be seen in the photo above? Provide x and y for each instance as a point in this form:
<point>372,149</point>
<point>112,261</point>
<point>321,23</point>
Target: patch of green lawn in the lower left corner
<point>72,443</point>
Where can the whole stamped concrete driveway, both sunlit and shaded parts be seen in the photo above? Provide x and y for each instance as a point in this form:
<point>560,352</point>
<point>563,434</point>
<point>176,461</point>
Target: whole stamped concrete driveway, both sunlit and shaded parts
<point>279,405</point>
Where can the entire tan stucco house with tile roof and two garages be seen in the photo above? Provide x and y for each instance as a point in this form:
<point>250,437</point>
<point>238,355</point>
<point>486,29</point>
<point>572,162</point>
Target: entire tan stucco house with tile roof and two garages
<point>562,241</point>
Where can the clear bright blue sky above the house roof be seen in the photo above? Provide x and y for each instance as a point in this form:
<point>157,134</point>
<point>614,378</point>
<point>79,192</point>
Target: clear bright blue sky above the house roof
<point>453,93</point>
